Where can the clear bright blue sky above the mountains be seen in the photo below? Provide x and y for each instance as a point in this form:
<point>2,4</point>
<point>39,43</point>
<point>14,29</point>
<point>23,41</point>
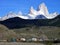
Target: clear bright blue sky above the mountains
<point>24,5</point>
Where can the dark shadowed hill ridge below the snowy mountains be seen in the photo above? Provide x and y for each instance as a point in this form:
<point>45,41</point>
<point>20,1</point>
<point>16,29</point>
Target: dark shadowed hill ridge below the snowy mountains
<point>20,23</point>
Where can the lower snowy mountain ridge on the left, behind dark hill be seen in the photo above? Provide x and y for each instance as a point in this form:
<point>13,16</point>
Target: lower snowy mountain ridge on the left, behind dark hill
<point>12,15</point>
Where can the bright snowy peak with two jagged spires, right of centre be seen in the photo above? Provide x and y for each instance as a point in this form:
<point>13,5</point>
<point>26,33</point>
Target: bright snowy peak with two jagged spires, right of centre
<point>42,11</point>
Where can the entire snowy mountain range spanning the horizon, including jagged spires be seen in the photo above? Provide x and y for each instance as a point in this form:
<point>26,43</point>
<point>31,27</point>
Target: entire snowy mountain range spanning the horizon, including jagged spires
<point>41,13</point>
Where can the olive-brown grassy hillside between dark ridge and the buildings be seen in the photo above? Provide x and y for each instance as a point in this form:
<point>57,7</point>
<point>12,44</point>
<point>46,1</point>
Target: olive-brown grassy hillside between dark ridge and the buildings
<point>48,32</point>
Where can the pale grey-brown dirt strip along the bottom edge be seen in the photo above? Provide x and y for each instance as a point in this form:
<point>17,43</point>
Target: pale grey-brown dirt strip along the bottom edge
<point>20,43</point>
